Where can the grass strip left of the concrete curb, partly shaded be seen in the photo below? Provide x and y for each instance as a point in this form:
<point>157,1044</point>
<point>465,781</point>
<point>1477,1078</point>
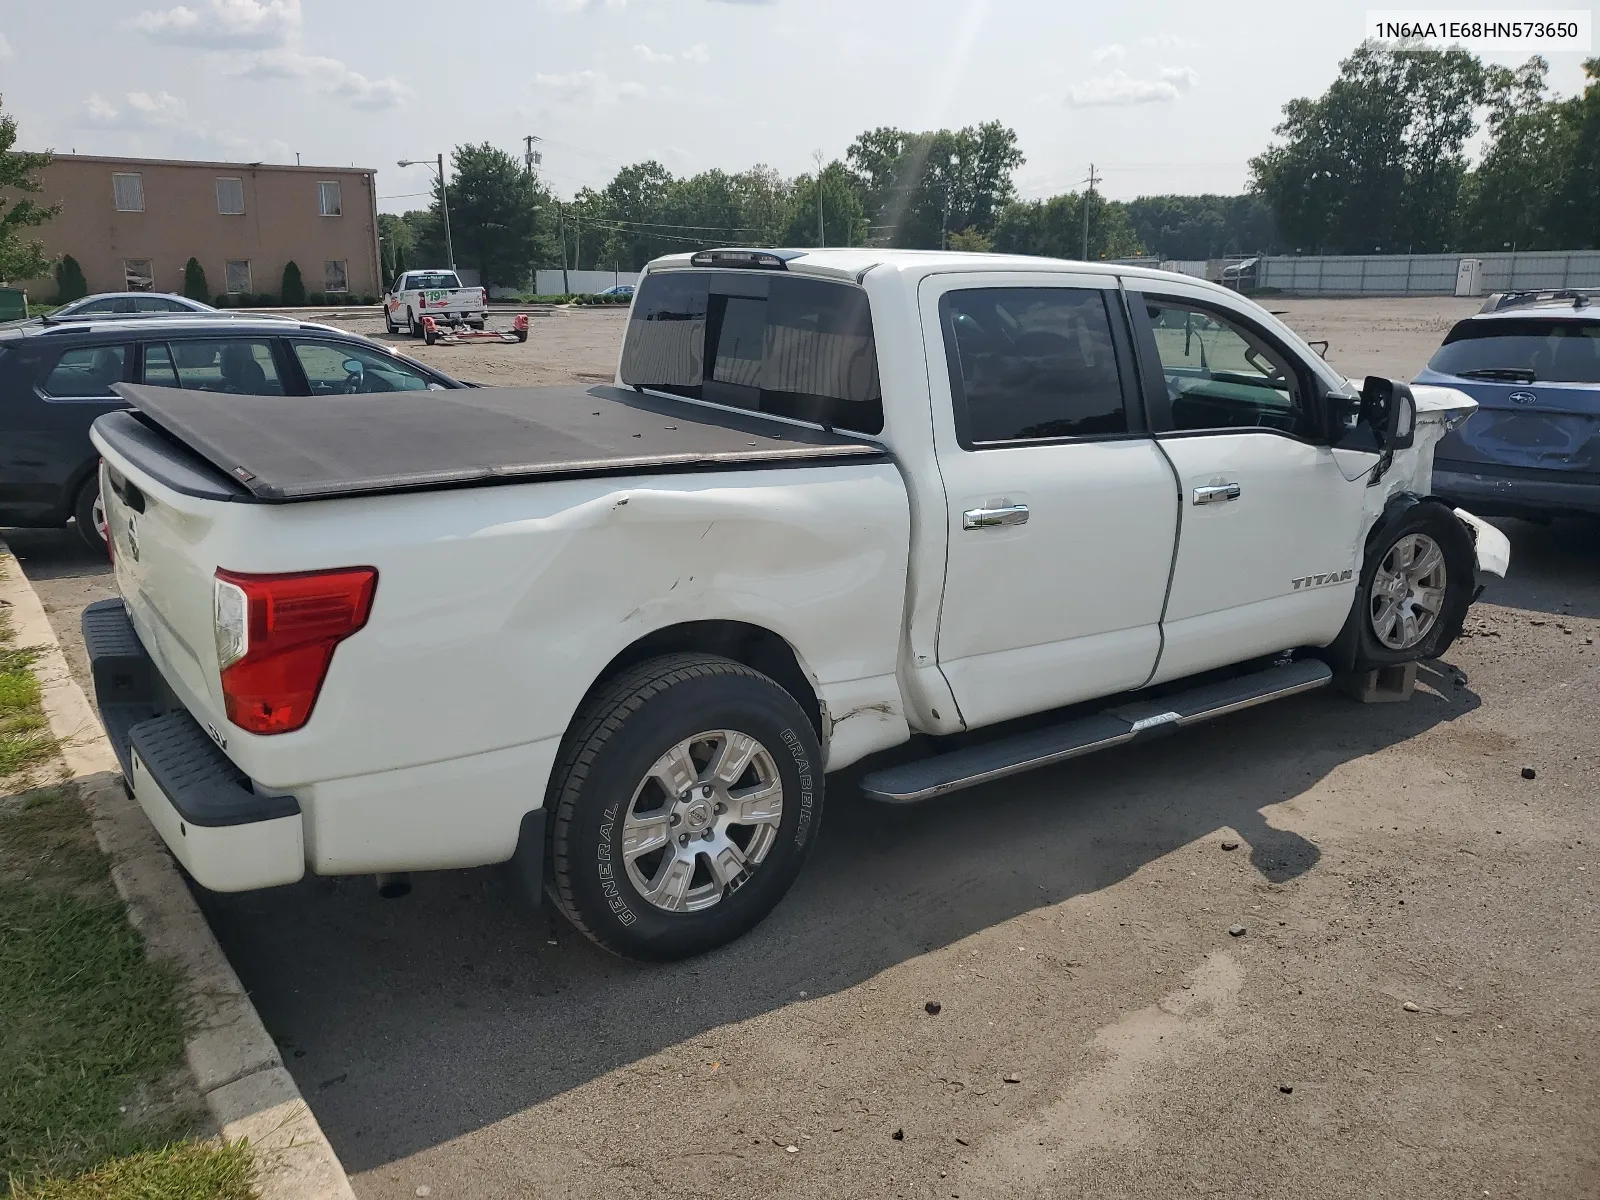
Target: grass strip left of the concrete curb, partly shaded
<point>92,1031</point>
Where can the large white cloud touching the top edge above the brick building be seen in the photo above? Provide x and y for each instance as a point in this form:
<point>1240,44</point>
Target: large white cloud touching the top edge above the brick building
<point>265,41</point>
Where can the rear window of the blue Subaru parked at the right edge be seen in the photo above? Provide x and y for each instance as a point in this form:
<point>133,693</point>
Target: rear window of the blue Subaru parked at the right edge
<point>1522,351</point>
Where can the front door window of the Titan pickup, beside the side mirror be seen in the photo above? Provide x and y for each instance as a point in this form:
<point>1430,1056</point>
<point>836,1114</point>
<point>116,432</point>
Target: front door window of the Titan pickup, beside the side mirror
<point>1222,375</point>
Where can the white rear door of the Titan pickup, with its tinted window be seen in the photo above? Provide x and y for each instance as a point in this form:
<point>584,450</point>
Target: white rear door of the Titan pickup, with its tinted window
<point>1062,513</point>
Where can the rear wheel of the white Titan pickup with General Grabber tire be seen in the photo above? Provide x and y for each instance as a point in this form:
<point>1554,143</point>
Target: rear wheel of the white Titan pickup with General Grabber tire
<point>684,804</point>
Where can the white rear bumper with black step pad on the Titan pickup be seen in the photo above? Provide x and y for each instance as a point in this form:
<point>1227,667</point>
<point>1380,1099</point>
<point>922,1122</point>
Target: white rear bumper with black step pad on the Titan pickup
<point>226,834</point>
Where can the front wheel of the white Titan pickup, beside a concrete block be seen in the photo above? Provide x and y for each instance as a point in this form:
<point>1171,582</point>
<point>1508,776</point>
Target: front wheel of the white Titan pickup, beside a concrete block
<point>1417,583</point>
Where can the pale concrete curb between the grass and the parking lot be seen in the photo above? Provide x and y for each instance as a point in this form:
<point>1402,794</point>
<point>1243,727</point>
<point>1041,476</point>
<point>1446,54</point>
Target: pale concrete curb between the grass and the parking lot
<point>234,1062</point>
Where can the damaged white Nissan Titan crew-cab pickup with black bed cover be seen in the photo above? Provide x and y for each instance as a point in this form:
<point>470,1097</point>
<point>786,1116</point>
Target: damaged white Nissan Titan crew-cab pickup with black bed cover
<point>620,636</point>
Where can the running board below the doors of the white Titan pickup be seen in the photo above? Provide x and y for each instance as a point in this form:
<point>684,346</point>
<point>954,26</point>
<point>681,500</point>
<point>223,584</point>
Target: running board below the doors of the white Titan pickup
<point>985,764</point>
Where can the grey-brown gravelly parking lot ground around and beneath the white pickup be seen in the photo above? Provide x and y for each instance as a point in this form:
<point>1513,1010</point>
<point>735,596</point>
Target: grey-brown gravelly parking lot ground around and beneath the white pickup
<point>1098,1033</point>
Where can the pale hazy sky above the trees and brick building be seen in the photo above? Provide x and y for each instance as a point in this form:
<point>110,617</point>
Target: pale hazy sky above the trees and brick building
<point>1161,97</point>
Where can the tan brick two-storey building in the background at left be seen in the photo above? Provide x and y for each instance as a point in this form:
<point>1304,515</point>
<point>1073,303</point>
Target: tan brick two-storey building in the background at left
<point>134,225</point>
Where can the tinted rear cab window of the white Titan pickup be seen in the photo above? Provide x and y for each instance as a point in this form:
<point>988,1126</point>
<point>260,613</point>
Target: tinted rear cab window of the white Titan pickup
<point>761,342</point>
